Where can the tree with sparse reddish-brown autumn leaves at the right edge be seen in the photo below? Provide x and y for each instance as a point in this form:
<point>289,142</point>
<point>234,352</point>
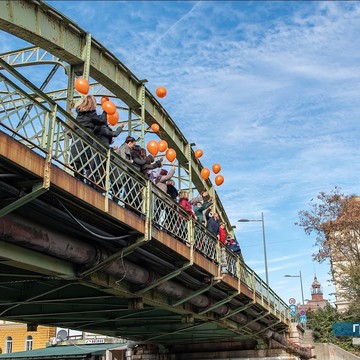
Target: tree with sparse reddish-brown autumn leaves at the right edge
<point>335,220</point>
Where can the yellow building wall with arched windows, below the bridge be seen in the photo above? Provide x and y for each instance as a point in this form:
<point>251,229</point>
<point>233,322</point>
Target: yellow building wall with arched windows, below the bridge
<point>19,333</point>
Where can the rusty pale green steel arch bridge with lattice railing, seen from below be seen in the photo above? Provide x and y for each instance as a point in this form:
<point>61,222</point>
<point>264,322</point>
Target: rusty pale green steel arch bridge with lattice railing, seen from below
<point>71,256</point>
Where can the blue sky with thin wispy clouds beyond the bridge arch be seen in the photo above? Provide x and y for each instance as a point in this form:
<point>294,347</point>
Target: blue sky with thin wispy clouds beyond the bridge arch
<point>269,90</point>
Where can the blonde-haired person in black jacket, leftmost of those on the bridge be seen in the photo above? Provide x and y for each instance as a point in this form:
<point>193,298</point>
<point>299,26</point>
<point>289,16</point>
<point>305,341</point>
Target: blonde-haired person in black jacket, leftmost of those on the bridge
<point>82,148</point>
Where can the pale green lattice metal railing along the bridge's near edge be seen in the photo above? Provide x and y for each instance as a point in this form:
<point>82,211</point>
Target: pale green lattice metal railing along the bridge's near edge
<point>32,118</point>
